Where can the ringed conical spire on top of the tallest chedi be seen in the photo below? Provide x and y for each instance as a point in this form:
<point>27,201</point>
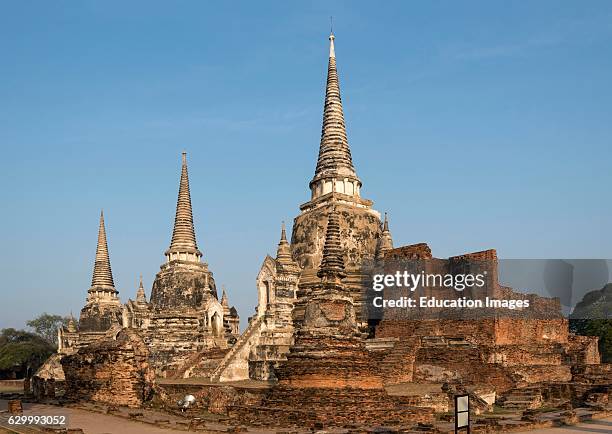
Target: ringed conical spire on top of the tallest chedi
<point>334,162</point>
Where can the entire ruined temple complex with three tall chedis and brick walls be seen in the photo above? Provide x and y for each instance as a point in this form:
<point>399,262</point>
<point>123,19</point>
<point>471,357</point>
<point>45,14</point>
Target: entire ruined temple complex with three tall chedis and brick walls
<point>319,355</point>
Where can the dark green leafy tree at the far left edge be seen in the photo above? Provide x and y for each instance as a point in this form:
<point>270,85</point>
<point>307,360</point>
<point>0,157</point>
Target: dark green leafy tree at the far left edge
<point>21,351</point>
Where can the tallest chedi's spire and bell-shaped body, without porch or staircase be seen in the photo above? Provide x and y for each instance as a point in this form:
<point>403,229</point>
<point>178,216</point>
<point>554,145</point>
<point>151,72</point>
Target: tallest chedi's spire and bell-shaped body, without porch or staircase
<point>335,184</point>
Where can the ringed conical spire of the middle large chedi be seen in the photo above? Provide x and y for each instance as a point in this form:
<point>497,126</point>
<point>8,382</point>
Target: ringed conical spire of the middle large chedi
<point>183,234</point>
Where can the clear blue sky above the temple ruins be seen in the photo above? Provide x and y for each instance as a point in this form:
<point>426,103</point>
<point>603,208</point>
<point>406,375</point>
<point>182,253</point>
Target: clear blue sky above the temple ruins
<point>475,124</point>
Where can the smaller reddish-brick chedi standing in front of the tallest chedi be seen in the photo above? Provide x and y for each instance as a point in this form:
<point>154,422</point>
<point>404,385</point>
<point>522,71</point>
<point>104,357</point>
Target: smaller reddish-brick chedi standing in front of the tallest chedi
<point>330,378</point>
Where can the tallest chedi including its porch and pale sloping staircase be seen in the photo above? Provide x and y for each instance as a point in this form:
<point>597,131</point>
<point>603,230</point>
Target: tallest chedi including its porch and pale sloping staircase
<point>285,284</point>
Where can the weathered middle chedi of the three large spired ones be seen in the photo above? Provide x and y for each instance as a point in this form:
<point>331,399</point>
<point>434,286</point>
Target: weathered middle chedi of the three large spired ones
<point>186,315</point>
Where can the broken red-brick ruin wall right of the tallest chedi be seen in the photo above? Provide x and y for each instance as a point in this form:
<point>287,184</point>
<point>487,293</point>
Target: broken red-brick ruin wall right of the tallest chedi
<point>501,351</point>
